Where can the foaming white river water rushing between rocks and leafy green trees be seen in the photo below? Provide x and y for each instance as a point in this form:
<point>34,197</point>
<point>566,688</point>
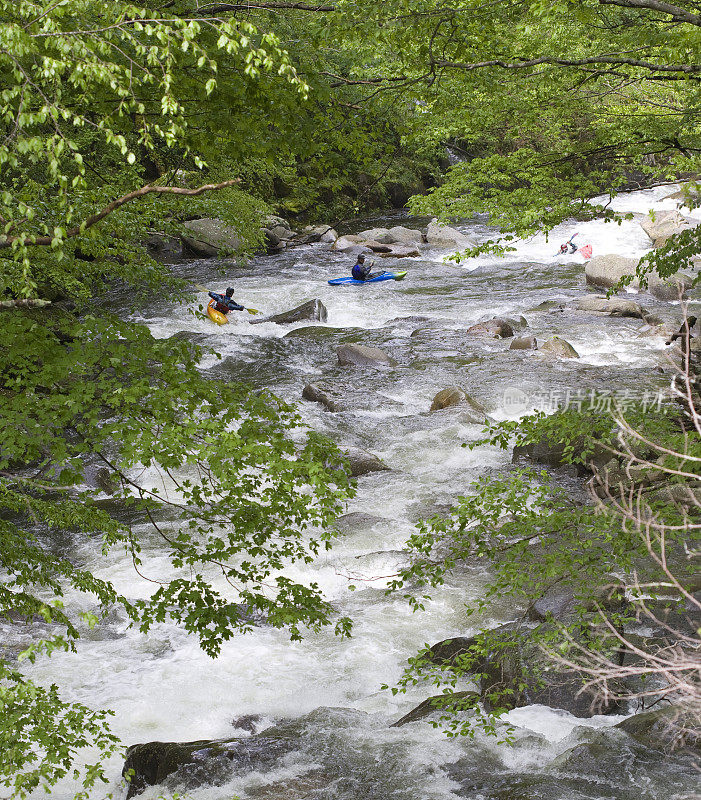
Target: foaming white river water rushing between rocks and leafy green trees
<point>323,694</point>
